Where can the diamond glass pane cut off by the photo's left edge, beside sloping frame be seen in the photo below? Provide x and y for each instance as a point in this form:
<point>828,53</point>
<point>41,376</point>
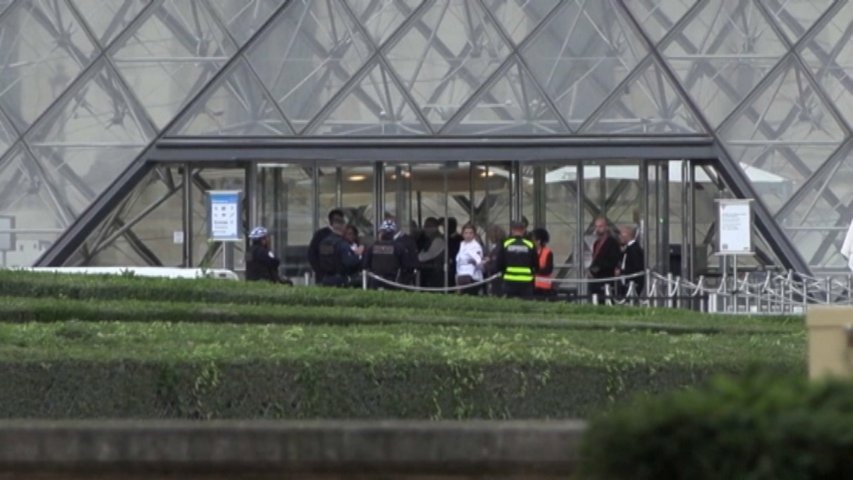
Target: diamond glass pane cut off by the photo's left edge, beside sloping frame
<point>26,202</point>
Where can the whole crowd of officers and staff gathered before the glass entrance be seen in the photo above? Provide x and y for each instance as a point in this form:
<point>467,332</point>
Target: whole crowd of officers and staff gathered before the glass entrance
<point>516,265</point>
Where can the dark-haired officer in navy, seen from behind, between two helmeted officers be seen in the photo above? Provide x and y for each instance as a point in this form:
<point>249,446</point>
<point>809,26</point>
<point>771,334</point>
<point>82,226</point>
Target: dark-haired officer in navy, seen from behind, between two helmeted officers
<point>337,261</point>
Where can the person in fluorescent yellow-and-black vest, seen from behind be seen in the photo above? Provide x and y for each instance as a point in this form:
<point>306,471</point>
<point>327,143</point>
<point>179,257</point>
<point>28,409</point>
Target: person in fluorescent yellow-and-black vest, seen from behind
<point>519,262</point>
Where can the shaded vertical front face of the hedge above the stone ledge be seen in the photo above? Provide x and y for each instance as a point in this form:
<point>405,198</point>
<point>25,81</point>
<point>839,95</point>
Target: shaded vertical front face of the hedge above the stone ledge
<point>322,389</point>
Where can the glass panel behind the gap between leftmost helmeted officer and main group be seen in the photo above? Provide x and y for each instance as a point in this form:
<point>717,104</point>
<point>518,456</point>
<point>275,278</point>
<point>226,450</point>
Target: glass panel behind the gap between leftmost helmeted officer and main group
<point>287,210</point>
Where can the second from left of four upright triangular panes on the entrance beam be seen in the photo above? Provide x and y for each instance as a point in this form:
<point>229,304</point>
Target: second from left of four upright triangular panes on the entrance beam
<point>374,107</point>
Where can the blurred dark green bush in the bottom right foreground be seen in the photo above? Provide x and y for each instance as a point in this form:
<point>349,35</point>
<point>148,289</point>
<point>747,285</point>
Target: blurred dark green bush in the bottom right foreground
<point>757,427</point>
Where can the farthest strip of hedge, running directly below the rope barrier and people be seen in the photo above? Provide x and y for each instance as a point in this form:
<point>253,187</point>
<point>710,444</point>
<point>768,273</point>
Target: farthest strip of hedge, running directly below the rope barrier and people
<point>216,292</point>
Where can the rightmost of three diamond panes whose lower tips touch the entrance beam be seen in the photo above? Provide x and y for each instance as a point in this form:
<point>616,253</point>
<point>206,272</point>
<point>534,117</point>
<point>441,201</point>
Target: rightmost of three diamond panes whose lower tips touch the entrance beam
<point>584,51</point>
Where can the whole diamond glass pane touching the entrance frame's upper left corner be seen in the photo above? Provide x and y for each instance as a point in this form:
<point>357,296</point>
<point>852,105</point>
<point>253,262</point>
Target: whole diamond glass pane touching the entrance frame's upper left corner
<point>90,137</point>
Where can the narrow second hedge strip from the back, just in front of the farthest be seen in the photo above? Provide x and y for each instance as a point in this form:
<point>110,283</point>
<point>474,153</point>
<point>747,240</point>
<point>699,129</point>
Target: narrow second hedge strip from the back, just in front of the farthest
<point>44,309</point>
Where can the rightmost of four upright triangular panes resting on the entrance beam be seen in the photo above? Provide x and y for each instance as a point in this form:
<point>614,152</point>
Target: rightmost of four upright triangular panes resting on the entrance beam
<point>648,104</point>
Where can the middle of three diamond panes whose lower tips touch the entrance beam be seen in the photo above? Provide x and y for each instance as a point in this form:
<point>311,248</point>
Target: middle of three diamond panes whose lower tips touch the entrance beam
<point>446,55</point>
